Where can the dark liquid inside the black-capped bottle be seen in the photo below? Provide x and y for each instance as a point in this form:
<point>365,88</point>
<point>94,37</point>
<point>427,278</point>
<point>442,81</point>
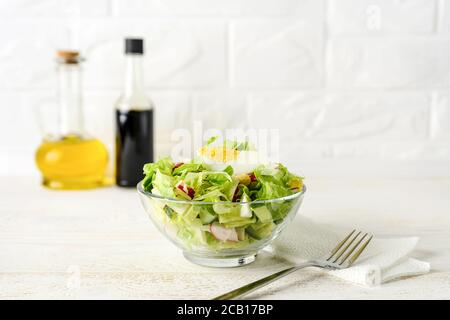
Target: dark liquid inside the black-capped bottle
<point>134,145</point>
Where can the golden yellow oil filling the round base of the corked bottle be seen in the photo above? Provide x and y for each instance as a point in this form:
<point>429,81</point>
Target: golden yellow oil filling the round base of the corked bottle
<point>72,162</point>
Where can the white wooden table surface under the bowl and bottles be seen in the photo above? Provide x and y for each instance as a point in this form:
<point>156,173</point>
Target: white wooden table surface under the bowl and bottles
<point>100,244</point>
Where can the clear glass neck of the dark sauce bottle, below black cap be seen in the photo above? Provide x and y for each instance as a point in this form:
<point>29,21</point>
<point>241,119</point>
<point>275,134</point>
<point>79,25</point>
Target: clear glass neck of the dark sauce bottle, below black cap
<point>134,78</point>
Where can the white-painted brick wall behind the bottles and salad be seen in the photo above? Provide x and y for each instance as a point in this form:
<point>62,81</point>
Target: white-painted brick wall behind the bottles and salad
<point>347,82</point>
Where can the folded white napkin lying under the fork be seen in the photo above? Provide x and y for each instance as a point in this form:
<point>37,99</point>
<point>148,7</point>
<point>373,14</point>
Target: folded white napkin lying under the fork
<point>383,260</point>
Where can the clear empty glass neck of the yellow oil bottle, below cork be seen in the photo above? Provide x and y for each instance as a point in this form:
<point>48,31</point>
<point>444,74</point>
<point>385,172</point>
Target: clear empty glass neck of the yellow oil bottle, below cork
<point>69,94</point>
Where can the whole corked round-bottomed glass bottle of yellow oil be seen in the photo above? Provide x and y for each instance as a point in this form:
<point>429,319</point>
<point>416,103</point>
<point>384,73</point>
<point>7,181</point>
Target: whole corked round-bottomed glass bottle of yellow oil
<point>70,158</point>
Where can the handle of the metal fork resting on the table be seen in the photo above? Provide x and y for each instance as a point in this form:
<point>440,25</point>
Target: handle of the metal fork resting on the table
<point>262,282</point>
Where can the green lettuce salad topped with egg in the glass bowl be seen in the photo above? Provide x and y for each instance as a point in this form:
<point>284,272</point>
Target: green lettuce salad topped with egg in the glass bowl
<point>223,189</point>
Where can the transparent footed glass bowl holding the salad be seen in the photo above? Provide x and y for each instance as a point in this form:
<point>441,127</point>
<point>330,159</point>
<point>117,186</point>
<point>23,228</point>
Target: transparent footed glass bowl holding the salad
<point>179,220</point>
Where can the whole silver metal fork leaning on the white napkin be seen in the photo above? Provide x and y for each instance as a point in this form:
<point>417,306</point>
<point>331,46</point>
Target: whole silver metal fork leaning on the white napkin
<point>342,256</point>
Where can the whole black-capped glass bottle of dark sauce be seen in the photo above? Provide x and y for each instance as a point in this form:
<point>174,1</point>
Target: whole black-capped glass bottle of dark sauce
<point>134,120</point>
